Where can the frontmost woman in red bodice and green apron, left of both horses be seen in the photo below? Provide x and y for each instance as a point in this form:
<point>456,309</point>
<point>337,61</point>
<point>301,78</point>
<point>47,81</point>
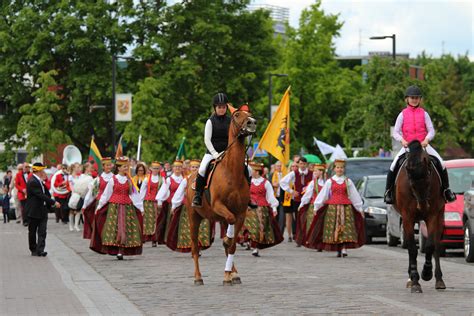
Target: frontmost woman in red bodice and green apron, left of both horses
<point>118,223</point>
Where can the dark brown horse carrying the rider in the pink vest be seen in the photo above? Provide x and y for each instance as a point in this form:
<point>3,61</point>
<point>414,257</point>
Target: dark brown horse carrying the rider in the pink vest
<point>418,196</point>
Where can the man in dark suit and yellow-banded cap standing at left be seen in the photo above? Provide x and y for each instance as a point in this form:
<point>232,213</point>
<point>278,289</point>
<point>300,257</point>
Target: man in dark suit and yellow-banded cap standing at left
<point>38,202</point>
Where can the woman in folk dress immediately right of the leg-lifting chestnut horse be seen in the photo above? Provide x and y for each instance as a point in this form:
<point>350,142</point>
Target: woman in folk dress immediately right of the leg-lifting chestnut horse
<point>260,227</point>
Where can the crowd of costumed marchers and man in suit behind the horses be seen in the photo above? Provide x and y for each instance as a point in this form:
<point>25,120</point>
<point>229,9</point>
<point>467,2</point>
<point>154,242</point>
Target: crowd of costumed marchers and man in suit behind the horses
<point>131,203</point>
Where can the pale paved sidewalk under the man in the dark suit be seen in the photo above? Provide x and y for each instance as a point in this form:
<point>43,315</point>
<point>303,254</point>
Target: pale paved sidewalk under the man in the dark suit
<point>60,284</point>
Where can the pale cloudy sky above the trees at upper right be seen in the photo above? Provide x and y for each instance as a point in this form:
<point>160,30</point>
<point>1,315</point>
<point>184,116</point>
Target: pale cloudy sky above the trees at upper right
<point>433,26</point>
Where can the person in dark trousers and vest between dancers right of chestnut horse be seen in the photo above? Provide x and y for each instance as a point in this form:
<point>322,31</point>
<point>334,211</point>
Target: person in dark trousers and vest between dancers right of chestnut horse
<point>301,178</point>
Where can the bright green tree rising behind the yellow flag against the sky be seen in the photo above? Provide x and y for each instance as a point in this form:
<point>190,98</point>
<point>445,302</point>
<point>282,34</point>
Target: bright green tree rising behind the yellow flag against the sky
<point>321,90</point>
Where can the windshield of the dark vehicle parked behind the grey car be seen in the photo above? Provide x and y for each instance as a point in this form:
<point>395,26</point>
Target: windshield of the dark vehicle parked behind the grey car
<point>356,169</point>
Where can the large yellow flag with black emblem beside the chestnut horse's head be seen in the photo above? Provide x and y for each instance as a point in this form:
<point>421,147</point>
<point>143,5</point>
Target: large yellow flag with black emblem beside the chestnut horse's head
<point>276,139</point>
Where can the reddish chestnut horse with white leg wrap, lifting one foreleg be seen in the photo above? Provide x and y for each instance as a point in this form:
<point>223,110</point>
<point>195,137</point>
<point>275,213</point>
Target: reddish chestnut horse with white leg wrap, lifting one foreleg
<point>229,194</point>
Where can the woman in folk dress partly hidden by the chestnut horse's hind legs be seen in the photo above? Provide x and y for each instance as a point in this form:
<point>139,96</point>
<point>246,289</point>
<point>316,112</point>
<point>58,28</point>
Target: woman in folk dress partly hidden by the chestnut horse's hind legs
<point>179,233</point>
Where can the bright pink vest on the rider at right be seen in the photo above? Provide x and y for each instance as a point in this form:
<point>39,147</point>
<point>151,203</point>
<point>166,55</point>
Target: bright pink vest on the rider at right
<point>414,126</point>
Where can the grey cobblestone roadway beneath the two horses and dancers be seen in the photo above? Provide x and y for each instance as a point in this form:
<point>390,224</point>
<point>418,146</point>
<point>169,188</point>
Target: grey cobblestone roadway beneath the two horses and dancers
<point>284,280</point>
